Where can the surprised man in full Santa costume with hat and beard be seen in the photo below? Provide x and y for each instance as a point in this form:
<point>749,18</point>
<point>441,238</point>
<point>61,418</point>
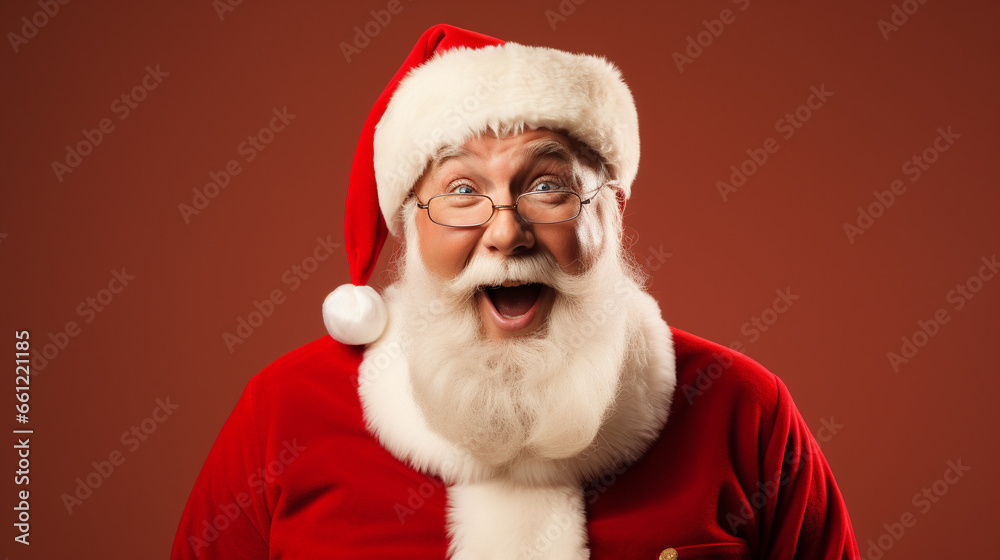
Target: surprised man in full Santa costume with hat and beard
<point>516,394</point>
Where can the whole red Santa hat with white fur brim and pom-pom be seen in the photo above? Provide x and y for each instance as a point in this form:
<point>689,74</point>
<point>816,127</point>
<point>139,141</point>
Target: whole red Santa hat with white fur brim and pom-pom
<point>455,85</point>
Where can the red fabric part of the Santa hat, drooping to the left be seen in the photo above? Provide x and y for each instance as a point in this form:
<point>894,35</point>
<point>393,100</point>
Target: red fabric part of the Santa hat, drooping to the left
<point>365,230</point>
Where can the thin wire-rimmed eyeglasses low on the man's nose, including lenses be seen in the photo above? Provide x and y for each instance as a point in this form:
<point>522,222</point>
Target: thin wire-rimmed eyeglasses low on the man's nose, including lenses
<point>536,207</point>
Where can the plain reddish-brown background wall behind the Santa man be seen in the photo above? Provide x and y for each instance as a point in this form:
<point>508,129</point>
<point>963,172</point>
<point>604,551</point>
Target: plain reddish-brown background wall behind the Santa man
<point>784,229</point>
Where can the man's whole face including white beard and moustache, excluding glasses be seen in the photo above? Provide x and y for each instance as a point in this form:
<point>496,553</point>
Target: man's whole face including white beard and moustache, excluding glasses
<point>540,382</point>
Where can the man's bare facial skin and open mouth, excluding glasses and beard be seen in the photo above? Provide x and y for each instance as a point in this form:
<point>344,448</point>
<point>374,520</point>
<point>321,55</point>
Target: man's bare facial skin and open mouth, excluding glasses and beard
<point>502,169</point>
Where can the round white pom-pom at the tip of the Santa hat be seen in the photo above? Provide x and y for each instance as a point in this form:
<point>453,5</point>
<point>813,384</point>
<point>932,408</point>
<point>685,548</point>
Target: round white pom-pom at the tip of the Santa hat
<point>354,314</point>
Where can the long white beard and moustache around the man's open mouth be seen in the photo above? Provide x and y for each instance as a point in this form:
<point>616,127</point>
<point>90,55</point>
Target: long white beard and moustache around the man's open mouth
<point>543,395</point>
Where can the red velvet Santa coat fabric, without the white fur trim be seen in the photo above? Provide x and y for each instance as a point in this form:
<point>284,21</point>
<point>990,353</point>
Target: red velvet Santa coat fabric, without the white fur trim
<point>735,474</point>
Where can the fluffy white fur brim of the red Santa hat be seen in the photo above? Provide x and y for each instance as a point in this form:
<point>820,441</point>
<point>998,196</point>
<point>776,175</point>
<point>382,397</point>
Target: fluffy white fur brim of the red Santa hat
<point>463,92</point>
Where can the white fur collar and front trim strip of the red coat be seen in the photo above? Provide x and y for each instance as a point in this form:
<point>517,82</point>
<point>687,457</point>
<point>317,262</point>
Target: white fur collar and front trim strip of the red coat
<point>534,508</point>
